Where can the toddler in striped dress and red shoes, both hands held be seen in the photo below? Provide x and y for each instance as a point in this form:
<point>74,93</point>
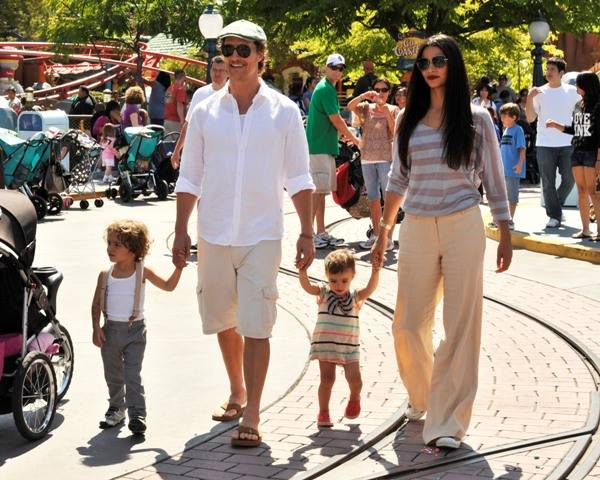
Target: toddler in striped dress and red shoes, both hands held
<point>335,338</point>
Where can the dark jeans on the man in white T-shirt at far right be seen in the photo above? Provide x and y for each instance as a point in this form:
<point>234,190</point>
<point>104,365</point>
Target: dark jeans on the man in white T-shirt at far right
<point>549,159</point>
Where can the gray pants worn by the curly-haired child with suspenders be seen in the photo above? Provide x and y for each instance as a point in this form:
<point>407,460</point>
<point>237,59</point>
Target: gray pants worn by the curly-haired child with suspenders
<point>122,355</point>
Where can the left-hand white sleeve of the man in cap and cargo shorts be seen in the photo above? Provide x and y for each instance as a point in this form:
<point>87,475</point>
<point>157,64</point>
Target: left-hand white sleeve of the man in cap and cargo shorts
<point>191,169</point>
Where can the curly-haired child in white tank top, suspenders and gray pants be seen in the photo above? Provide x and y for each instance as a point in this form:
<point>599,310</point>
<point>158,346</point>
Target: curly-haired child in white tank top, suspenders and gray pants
<point>119,296</point>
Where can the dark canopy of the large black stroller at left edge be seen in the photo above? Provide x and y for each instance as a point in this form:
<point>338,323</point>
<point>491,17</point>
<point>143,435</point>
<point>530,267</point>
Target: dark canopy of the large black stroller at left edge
<point>18,222</point>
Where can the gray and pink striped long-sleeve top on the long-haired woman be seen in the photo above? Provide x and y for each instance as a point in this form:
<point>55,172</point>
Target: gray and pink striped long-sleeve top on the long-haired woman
<point>431,188</point>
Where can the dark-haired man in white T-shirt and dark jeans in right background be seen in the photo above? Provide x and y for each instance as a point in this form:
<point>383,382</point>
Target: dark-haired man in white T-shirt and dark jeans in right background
<point>556,101</point>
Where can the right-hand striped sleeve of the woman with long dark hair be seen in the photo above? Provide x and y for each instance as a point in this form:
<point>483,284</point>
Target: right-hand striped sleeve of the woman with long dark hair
<point>492,173</point>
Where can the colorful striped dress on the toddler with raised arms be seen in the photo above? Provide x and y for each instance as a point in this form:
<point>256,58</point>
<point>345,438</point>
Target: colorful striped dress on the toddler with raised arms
<point>336,335</point>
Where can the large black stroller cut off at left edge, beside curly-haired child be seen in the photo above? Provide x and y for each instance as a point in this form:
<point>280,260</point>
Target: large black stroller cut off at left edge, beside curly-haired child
<point>36,351</point>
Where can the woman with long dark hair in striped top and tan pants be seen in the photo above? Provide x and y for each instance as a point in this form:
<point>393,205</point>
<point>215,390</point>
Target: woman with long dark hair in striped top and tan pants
<point>444,149</point>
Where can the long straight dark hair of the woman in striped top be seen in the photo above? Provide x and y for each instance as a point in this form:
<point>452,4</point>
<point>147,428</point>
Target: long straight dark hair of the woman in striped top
<point>457,119</point>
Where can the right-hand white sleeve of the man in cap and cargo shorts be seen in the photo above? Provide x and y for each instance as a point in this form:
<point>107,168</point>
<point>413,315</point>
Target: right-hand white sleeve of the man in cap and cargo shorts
<point>296,166</point>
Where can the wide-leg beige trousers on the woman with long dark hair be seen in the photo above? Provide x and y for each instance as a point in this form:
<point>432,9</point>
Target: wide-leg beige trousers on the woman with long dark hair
<point>440,256</point>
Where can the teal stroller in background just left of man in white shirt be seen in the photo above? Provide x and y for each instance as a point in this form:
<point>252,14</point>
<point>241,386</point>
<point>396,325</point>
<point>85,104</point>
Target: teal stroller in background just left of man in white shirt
<point>142,166</point>
